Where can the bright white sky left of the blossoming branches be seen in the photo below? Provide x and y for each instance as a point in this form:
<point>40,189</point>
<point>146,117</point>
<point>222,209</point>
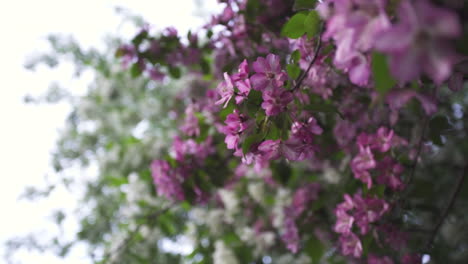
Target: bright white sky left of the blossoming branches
<point>28,132</point>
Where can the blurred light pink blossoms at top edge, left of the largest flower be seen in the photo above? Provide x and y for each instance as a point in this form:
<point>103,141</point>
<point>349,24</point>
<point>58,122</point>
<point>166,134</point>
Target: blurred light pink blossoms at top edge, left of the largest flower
<point>354,25</point>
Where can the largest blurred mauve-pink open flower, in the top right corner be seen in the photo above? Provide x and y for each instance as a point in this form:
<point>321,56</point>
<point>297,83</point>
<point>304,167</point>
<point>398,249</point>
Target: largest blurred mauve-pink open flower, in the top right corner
<point>420,42</point>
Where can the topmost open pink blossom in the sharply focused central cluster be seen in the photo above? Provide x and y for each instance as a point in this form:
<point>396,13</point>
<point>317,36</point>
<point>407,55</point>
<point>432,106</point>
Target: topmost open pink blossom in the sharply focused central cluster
<point>268,73</point>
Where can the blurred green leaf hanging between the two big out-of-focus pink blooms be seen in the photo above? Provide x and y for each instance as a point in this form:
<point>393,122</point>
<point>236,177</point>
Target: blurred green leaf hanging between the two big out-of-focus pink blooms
<point>381,73</point>
